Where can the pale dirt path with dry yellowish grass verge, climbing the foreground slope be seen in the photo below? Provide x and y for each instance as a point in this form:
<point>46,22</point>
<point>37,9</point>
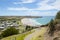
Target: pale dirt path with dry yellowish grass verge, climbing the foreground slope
<point>34,35</point>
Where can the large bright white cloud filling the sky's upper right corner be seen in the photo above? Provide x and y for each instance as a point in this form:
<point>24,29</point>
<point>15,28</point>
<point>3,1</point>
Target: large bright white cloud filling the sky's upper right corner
<point>45,6</point>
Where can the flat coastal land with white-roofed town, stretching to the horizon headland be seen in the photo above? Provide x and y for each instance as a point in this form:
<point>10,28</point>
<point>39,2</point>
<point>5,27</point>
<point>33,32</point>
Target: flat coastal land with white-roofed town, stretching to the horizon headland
<point>14,21</point>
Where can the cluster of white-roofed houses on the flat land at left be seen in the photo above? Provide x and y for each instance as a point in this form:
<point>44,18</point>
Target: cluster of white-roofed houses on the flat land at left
<point>6,24</point>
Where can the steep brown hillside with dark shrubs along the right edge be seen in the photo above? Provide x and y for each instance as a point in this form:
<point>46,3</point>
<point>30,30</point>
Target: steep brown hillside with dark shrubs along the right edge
<point>54,31</point>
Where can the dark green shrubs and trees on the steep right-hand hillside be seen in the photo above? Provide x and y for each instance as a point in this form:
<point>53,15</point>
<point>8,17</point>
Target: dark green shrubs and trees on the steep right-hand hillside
<point>53,23</point>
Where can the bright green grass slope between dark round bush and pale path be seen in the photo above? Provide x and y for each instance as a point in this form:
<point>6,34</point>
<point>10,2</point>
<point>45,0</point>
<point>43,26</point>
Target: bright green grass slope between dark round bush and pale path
<point>17,37</point>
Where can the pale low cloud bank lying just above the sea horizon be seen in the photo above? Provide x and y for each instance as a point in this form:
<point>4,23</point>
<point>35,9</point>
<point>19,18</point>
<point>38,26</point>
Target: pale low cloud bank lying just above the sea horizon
<point>39,13</point>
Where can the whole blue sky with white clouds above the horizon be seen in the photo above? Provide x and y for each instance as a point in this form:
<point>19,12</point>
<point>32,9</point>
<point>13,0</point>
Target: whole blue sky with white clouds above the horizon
<point>29,7</point>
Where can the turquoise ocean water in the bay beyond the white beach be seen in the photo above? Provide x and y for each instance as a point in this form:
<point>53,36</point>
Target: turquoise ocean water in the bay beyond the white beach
<point>44,19</point>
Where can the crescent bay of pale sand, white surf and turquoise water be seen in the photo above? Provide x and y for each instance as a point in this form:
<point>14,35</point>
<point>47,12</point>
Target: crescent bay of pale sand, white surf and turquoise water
<point>37,21</point>
